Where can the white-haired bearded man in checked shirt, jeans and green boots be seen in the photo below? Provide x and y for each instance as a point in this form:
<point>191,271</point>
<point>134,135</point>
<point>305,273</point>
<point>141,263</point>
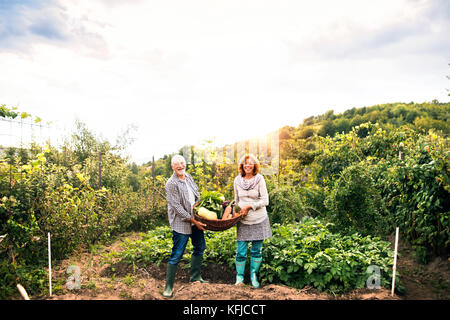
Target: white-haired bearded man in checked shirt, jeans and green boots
<point>182,195</point>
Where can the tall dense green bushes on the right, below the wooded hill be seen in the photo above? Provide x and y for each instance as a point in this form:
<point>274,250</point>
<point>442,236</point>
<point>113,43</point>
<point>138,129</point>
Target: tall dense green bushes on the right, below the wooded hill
<point>372,190</point>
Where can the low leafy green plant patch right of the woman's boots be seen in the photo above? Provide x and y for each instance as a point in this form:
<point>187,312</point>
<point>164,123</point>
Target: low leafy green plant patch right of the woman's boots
<point>309,254</point>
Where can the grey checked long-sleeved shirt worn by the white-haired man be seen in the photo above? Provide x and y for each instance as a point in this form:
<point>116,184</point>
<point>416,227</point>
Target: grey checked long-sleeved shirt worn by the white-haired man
<point>178,206</point>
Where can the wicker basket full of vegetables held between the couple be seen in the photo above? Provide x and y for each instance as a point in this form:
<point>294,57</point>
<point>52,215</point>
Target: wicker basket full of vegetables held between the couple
<point>217,213</point>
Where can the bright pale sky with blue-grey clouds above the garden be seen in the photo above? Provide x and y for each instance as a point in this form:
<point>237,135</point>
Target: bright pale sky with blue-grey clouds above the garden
<point>177,72</point>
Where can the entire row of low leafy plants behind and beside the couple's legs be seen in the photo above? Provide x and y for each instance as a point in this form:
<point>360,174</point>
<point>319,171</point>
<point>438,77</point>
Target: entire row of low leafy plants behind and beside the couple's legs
<point>300,254</point>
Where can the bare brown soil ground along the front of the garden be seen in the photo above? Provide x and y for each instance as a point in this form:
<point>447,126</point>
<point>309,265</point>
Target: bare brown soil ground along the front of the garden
<point>122,282</point>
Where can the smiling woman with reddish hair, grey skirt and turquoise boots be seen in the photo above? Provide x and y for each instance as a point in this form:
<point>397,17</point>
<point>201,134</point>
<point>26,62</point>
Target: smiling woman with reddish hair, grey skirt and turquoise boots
<point>251,196</point>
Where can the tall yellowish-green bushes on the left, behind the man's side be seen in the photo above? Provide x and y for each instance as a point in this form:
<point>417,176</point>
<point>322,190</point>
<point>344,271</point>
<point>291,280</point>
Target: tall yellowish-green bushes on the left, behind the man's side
<point>57,191</point>
